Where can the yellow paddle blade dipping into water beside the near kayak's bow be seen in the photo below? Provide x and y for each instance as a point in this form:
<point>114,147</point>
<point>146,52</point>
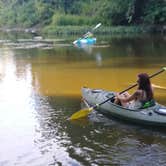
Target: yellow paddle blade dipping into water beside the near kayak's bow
<point>81,114</point>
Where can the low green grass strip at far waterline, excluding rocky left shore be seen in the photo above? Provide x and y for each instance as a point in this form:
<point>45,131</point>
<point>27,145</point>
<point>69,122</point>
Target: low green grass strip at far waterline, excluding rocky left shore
<point>79,30</point>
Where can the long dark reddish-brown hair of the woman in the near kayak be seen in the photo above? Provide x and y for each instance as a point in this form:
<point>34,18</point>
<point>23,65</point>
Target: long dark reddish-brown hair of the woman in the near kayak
<point>145,84</point>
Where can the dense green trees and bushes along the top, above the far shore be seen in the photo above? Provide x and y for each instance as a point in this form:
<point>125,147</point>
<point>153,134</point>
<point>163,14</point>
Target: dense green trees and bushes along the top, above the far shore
<point>50,14</point>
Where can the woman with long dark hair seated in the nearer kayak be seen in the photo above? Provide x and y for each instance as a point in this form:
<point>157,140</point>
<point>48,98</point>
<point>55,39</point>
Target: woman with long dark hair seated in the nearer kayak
<point>143,97</point>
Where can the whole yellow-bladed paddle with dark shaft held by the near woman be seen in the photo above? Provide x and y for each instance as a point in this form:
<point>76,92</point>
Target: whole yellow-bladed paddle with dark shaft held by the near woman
<point>84,112</point>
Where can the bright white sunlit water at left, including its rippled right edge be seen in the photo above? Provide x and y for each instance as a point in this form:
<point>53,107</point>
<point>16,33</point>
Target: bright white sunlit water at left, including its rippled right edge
<point>29,127</point>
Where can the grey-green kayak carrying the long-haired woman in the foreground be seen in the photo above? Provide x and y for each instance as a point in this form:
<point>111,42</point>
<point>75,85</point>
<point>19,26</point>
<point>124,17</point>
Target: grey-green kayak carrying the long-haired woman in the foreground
<point>153,116</point>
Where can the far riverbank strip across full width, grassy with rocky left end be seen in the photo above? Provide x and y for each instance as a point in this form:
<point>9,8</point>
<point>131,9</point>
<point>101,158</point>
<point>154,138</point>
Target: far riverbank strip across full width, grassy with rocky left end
<point>79,30</point>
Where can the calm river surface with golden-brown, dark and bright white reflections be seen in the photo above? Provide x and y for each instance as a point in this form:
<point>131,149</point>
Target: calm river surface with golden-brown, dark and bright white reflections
<point>40,89</point>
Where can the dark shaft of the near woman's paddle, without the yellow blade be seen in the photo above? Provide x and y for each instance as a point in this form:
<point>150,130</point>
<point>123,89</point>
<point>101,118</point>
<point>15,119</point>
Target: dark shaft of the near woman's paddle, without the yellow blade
<point>160,71</point>
